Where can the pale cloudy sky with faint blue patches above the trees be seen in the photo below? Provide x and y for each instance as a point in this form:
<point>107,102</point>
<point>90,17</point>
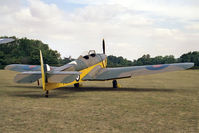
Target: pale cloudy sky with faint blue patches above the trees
<point>131,28</point>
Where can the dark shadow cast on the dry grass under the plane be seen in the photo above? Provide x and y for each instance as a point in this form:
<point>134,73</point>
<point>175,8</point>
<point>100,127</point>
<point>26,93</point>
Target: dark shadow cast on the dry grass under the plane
<point>62,92</point>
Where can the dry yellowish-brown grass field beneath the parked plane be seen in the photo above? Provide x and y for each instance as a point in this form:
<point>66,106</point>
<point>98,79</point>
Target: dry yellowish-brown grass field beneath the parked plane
<point>161,103</point>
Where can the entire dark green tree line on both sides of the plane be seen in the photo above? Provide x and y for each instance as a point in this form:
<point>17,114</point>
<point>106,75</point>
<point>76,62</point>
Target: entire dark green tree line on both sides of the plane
<point>26,51</point>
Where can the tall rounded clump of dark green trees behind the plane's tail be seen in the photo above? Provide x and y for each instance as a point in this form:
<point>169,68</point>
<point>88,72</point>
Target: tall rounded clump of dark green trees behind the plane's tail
<point>26,51</point>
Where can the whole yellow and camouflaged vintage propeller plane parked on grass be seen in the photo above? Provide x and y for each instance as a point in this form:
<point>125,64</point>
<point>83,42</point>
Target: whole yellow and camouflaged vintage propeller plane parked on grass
<point>88,67</point>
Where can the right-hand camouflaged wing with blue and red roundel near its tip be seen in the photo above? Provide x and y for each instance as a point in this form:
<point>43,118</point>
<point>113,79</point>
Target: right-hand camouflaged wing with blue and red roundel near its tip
<point>126,72</point>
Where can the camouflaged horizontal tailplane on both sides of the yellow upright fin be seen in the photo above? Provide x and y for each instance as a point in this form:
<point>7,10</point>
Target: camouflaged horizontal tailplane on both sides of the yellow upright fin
<point>52,77</point>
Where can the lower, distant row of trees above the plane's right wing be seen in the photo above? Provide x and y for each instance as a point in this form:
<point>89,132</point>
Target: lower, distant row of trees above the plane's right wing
<point>148,60</point>
